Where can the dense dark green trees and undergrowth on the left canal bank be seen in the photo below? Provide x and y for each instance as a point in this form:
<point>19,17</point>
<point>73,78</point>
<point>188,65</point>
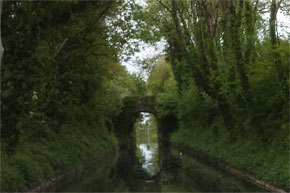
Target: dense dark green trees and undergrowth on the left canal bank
<point>62,83</point>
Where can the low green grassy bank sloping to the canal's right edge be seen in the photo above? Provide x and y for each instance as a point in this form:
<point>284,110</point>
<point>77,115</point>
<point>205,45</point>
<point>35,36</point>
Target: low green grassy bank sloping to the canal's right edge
<point>267,162</point>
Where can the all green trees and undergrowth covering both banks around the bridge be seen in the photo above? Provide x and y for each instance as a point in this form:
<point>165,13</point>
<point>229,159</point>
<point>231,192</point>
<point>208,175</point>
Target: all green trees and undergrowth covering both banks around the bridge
<point>223,77</point>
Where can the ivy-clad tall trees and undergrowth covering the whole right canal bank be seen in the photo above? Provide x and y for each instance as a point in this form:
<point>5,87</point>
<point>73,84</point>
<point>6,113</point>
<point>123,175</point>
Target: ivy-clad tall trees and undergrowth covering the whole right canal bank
<point>230,86</point>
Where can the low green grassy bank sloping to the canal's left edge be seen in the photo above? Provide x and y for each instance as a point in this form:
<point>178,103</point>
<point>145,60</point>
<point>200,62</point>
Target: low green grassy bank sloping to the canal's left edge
<point>35,162</point>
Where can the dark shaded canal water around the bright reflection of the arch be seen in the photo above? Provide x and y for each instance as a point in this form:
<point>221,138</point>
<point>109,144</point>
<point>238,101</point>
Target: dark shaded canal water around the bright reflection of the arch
<point>177,174</point>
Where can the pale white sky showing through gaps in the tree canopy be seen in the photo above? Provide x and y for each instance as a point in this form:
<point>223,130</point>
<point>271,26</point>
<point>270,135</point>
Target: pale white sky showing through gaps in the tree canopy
<point>149,51</point>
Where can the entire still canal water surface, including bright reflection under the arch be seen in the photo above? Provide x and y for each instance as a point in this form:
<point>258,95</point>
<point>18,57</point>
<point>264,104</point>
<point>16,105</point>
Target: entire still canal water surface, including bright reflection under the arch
<point>152,169</point>
